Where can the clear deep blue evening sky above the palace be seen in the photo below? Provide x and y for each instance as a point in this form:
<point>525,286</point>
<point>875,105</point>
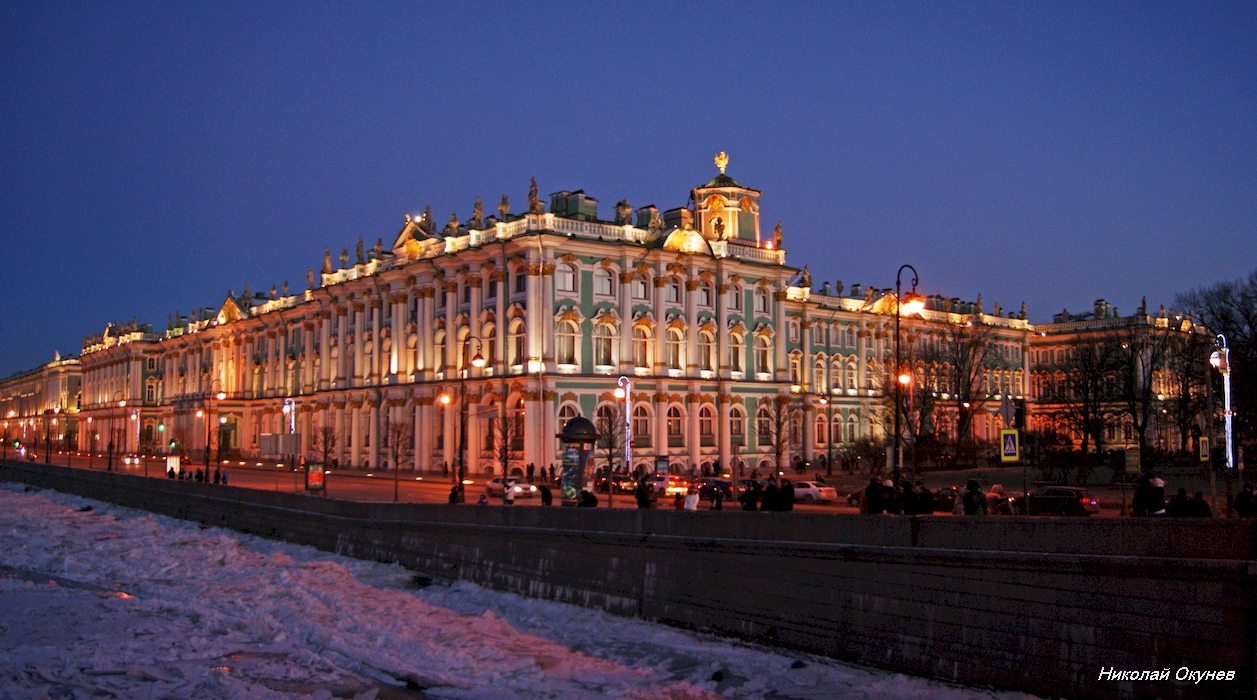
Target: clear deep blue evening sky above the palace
<point>154,156</point>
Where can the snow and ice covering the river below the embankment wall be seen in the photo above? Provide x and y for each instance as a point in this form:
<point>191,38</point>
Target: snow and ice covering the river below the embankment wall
<point>105,601</point>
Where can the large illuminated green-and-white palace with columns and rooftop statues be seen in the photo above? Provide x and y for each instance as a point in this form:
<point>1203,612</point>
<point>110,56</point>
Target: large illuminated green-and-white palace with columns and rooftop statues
<point>512,325</point>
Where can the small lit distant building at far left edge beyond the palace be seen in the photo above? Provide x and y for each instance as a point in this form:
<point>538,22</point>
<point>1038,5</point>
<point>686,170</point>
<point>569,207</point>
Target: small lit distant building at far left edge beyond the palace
<point>40,408</point>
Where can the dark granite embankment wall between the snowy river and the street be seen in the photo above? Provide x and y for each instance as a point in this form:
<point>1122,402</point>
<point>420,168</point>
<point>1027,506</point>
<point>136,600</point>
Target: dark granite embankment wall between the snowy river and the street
<point>1040,605</point>
